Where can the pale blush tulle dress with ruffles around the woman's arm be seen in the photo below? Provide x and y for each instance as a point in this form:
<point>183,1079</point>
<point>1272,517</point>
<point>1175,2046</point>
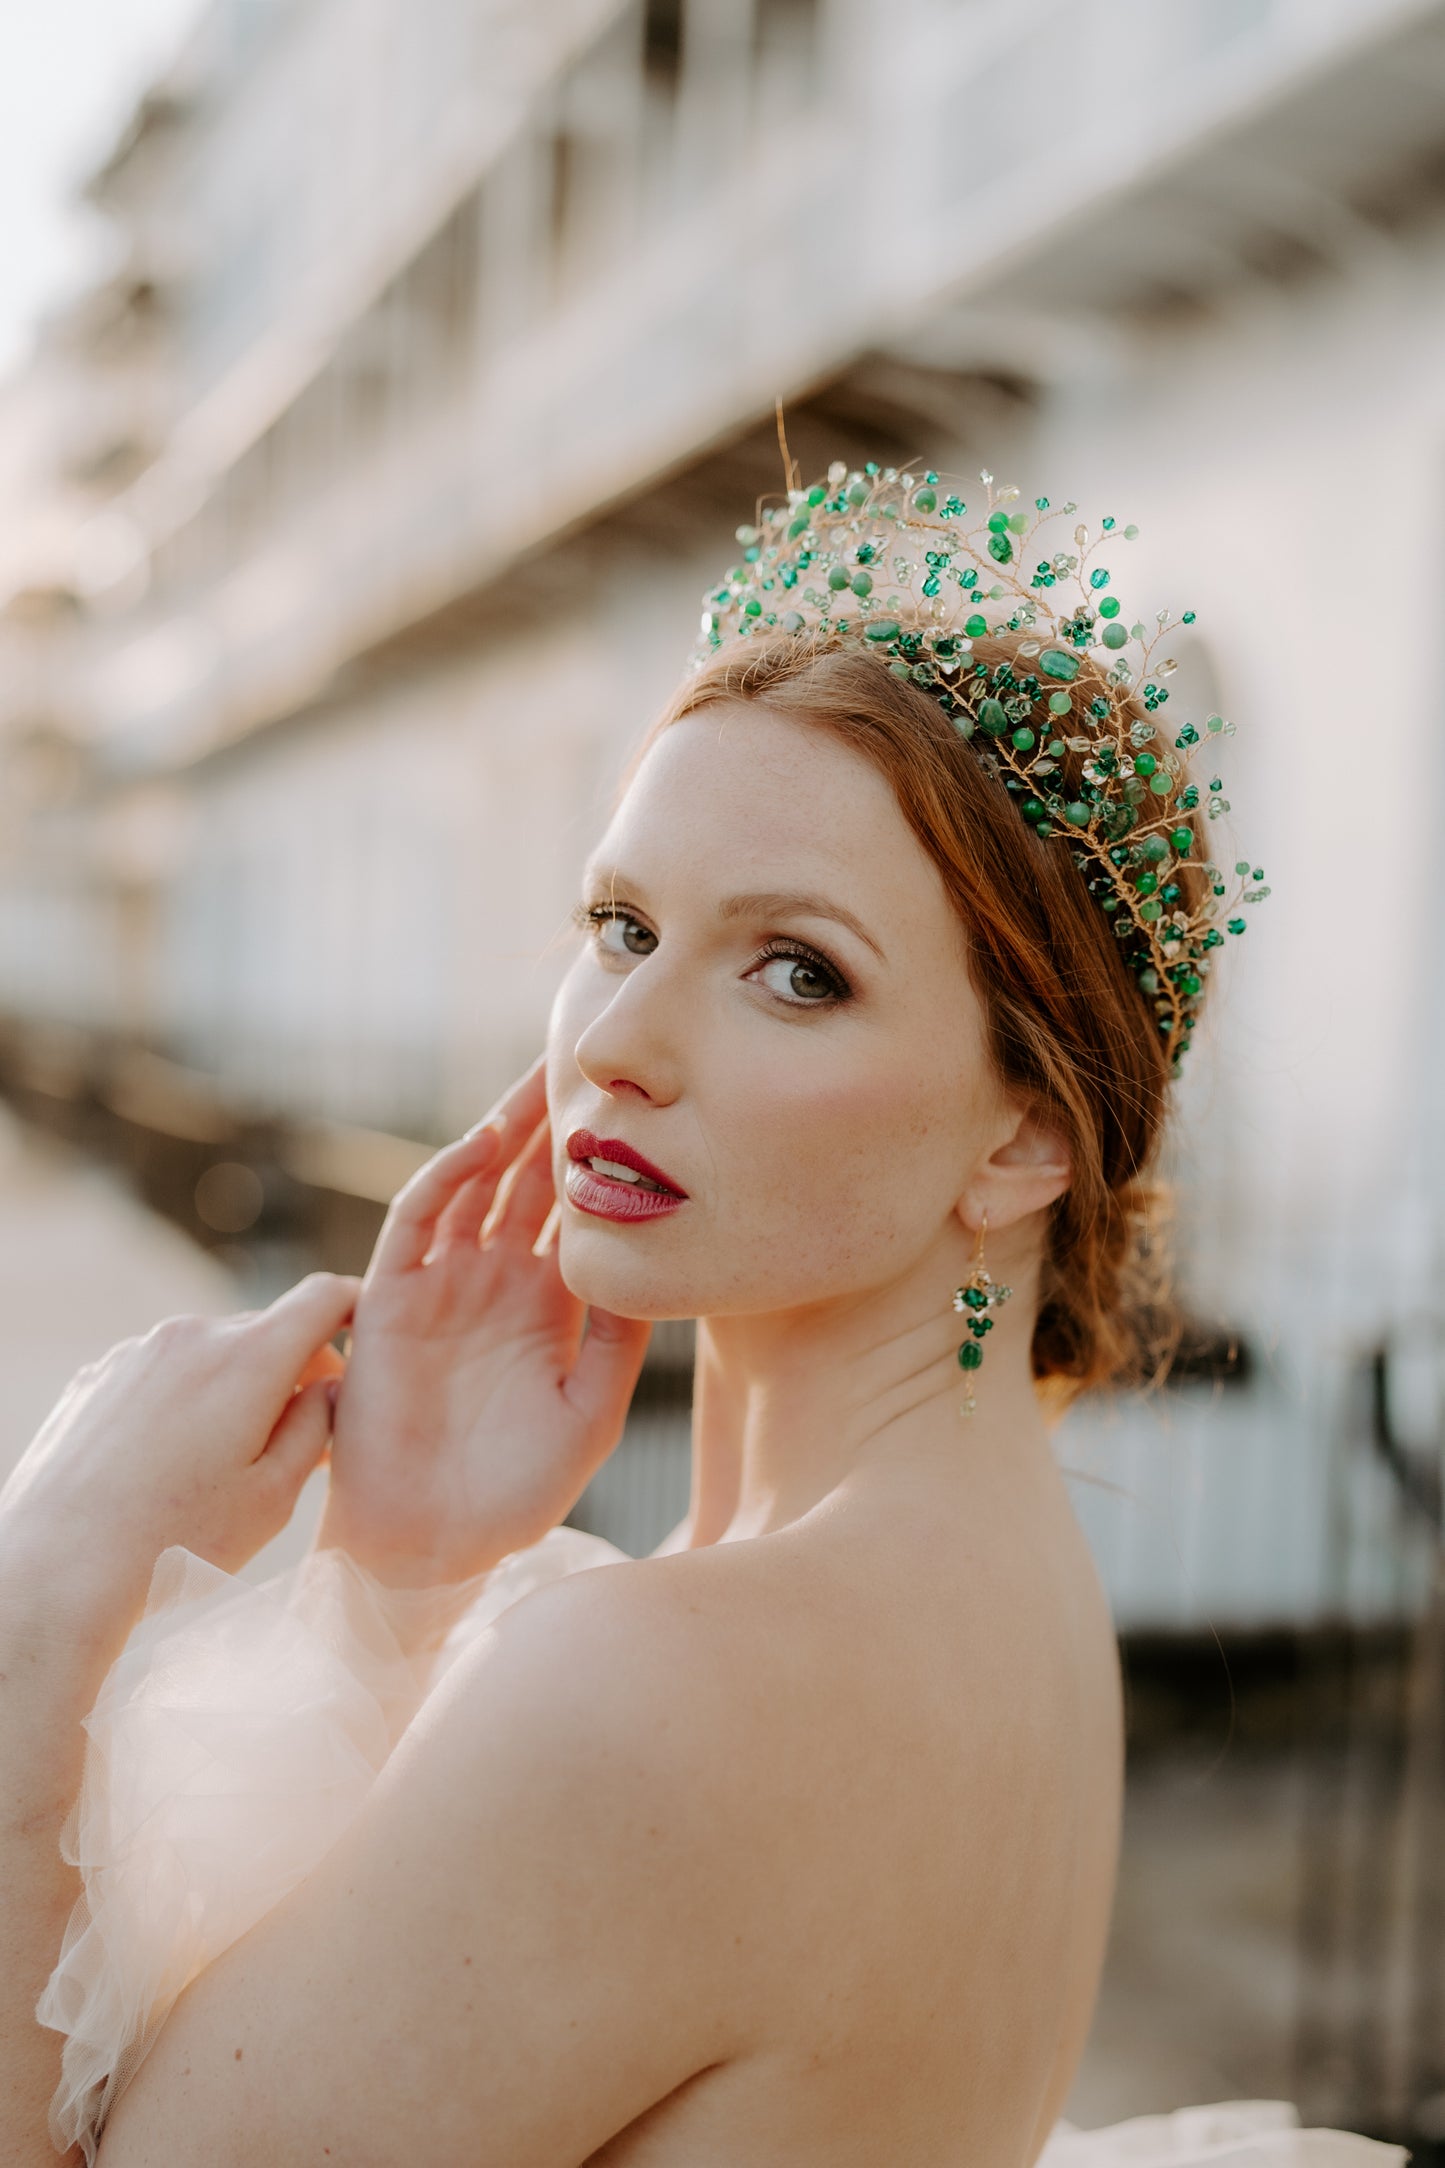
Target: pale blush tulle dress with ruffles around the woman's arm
<point>235,1740</point>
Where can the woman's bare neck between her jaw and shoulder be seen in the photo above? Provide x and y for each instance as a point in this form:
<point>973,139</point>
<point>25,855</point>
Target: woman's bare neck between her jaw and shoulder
<point>792,1408</point>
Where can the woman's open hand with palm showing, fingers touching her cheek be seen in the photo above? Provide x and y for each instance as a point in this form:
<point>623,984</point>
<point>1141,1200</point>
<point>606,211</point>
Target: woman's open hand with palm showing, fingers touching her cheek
<point>473,1410</point>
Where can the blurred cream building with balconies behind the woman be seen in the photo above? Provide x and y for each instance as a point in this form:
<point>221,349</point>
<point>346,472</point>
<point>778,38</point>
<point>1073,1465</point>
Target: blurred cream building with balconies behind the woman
<point>359,526</point>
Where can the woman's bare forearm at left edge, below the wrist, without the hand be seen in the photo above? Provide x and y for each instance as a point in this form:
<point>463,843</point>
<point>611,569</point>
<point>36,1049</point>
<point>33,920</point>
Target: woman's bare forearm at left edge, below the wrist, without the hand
<point>57,1642</point>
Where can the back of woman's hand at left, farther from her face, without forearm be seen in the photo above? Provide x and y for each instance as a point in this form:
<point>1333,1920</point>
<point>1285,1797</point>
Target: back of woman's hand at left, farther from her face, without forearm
<point>200,1434</point>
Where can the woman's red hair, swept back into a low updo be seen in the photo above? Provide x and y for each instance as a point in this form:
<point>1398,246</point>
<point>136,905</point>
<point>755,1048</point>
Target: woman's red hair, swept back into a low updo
<point>1071,1033</point>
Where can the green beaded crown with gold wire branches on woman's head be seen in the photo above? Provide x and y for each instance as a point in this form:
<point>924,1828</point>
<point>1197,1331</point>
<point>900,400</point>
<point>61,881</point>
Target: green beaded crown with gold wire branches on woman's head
<point>1069,719</point>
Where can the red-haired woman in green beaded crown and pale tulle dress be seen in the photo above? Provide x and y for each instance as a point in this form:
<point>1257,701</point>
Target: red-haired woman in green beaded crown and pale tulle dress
<point>794,1842</point>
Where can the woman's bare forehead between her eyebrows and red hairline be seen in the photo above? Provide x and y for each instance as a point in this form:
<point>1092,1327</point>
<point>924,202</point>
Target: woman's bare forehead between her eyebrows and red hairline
<point>742,790</point>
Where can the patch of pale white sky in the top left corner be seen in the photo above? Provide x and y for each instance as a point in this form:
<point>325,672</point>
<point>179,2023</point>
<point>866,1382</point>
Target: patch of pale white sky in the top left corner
<point>70,73</point>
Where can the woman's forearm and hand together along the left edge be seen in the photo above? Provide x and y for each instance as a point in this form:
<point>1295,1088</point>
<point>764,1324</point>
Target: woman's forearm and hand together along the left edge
<point>200,1434</point>
